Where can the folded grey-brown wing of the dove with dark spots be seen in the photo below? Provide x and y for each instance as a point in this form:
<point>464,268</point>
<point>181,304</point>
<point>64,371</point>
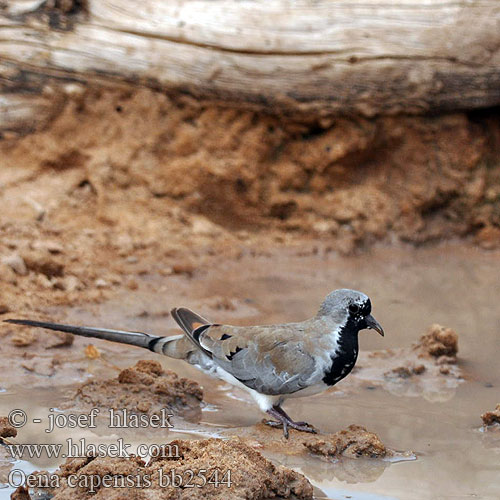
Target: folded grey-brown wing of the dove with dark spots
<point>271,359</point>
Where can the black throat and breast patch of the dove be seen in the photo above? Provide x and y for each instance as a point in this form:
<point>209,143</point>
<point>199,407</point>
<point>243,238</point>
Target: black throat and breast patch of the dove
<point>344,359</point>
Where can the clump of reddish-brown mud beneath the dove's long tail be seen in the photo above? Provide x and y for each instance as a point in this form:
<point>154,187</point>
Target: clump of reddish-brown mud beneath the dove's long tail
<point>144,388</point>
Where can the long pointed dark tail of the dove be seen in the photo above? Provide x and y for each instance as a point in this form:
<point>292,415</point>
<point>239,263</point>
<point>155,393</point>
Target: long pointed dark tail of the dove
<point>152,342</point>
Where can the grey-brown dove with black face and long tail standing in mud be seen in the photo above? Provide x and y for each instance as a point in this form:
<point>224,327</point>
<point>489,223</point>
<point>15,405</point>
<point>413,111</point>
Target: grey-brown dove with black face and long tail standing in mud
<point>271,362</point>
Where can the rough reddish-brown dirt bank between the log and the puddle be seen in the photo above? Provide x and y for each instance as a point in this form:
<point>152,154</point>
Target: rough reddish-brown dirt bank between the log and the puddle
<point>134,181</point>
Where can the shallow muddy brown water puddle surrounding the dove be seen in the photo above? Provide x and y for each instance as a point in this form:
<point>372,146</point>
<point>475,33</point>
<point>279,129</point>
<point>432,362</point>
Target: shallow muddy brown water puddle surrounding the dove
<point>409,289</point>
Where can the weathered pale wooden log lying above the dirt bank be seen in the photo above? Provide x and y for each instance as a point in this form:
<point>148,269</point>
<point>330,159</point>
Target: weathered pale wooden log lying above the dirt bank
<point>318,58</point>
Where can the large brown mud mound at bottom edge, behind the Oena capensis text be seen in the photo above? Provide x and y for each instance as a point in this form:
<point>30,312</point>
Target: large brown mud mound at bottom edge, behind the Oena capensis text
<point>251,475</point>
